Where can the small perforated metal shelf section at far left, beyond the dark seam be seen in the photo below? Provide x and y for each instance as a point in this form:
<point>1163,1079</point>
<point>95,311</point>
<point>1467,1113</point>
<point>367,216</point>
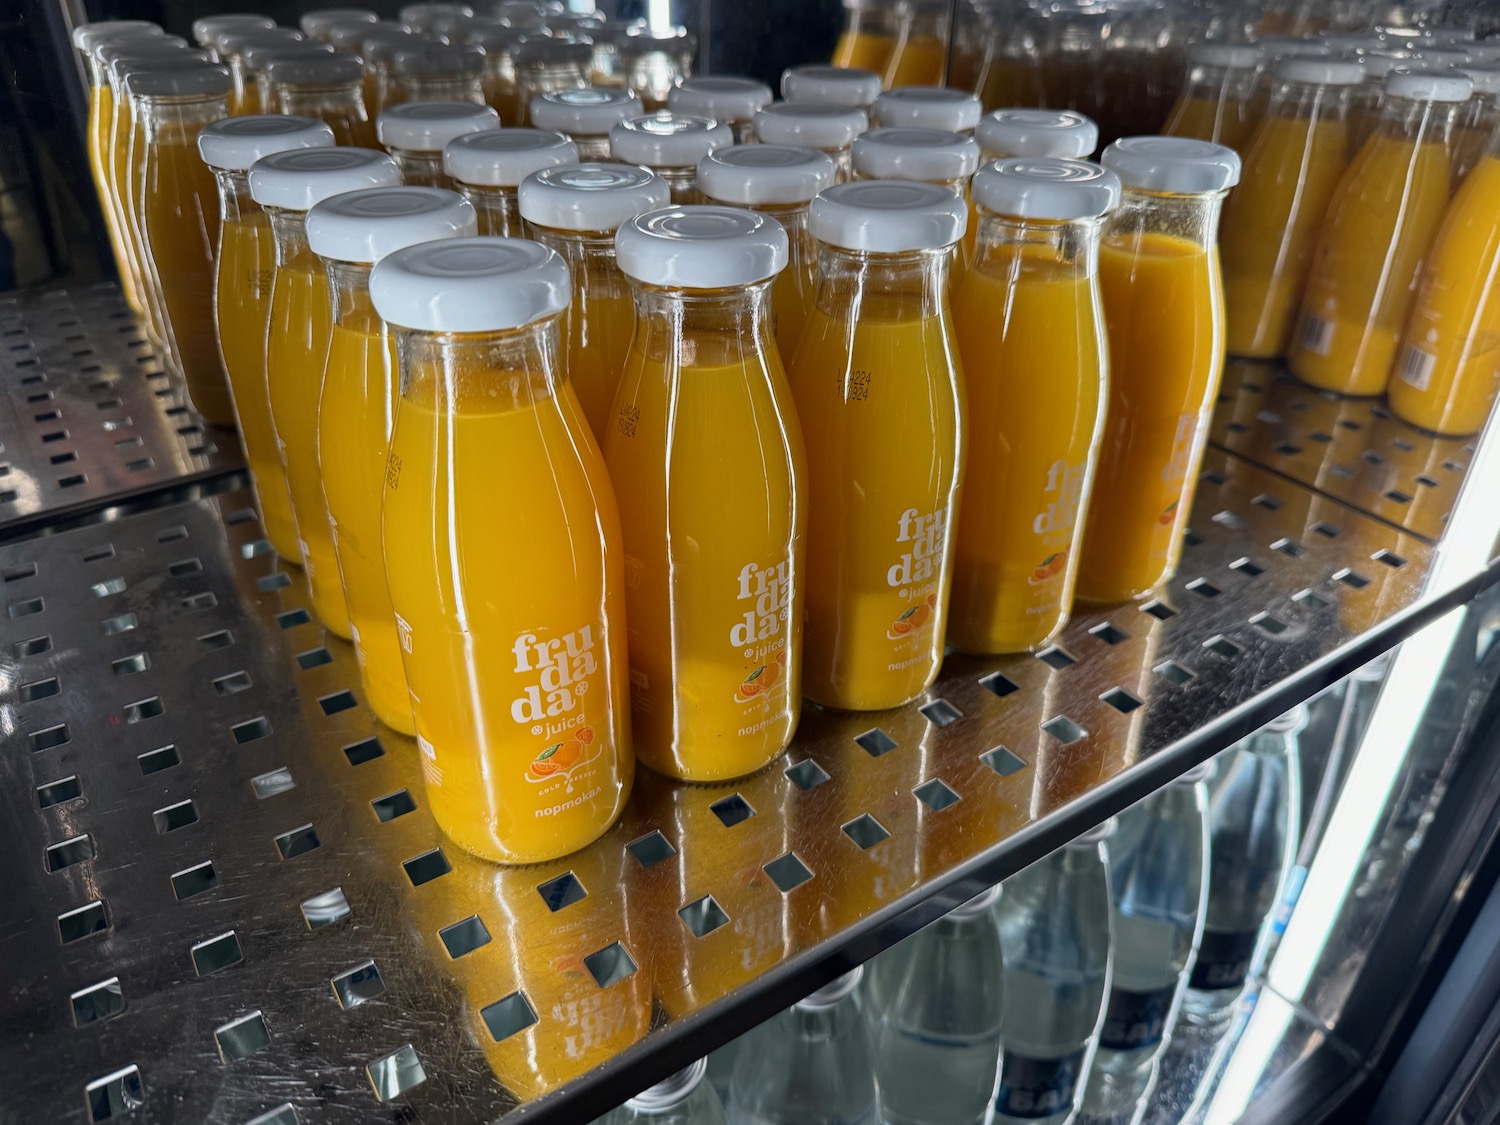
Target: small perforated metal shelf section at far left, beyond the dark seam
<point>88,412</point>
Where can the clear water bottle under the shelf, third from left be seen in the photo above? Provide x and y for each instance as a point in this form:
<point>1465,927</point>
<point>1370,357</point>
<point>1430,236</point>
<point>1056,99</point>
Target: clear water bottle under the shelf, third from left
<point>935,1010</point>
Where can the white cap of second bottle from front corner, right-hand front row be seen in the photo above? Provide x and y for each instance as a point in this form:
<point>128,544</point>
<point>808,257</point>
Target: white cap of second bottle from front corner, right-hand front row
<point>701,248</point>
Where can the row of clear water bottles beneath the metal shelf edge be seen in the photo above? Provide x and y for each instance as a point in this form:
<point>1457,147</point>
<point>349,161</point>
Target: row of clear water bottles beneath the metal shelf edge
<point>1048,1000</point>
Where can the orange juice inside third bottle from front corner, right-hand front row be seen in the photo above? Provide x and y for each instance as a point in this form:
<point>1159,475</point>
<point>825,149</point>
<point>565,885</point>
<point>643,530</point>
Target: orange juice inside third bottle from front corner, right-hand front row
<point>881,403</point>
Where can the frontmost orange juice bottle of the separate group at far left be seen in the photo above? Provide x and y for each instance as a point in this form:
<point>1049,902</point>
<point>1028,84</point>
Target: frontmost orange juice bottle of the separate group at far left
<point>179,212</point>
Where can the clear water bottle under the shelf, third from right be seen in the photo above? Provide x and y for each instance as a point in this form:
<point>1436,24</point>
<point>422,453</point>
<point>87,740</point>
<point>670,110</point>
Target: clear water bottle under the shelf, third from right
<point>1055,929</point>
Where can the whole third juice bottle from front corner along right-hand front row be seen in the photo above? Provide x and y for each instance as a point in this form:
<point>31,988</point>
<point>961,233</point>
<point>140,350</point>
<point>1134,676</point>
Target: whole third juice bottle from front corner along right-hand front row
<point>878,380</point>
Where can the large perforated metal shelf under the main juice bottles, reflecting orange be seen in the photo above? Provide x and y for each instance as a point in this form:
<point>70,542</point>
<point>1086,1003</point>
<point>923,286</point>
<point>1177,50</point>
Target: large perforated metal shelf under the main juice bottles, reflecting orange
<point>230,904</point>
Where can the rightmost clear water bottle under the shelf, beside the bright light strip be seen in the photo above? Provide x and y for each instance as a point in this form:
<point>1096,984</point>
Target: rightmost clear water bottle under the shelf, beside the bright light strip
<point>1253,808</point>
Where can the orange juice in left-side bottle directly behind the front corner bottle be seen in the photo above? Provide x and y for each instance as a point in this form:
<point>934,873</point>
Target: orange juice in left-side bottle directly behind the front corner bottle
<point>355,422</point>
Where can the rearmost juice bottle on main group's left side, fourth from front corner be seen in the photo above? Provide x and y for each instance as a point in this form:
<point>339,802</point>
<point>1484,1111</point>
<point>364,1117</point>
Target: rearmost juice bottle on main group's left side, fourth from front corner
<point>242,296</point>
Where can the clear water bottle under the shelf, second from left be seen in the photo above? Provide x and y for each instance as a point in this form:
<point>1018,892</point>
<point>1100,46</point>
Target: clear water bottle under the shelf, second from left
<point>811,1066</point>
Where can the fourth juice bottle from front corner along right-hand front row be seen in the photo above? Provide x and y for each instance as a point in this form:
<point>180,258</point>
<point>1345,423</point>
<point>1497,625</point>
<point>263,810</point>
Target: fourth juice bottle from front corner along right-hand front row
<point>1031,334</point>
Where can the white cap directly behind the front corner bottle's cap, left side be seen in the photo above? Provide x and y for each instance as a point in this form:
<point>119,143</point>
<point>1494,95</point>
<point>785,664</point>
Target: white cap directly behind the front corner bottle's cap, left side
<point>370,224</point>
